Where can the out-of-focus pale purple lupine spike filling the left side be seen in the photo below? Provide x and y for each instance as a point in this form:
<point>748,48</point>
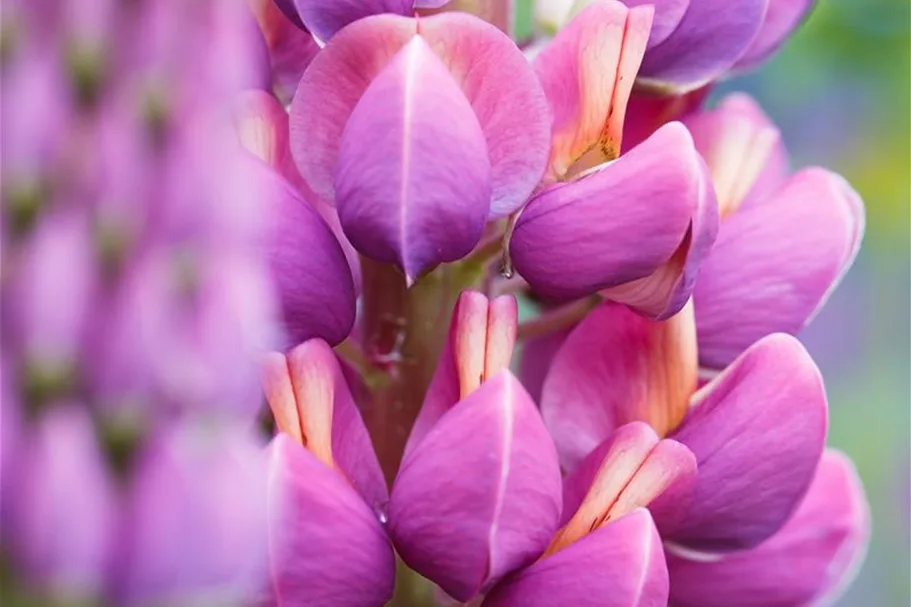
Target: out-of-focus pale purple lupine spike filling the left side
<point>135,305</point>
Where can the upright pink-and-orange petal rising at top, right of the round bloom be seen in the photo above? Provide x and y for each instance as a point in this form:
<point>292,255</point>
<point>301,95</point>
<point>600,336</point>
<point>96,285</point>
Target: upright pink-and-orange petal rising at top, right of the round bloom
<point>587,72</point>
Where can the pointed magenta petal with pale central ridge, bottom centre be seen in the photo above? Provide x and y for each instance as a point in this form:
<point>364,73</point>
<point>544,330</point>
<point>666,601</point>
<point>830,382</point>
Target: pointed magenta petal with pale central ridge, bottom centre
<point>479,496</point>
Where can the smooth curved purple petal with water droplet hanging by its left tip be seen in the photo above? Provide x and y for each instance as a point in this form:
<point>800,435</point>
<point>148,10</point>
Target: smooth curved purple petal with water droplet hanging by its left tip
<point>617,224</point>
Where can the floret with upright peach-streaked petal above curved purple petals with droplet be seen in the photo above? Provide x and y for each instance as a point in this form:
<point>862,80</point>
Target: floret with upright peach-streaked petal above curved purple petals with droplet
<point>568,240</point>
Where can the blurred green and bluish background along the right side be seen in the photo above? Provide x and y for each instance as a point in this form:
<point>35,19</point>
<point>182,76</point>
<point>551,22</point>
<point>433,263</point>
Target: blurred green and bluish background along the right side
<point>839,90</point>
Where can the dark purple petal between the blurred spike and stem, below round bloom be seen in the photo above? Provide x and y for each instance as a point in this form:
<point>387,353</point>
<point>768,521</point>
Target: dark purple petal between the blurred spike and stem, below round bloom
<point>308,265</point>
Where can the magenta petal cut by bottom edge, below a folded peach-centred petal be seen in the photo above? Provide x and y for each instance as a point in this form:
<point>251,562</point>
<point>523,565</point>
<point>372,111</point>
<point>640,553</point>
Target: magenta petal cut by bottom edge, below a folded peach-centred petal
<point>618,565</point>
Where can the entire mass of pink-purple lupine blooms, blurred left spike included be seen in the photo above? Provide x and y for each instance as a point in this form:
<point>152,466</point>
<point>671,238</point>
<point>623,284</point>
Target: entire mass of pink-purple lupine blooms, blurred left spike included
<point>341,208</point>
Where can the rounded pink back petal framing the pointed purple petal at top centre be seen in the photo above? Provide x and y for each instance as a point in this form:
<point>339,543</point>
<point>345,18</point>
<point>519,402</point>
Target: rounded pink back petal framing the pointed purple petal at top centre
<point>485,63</point>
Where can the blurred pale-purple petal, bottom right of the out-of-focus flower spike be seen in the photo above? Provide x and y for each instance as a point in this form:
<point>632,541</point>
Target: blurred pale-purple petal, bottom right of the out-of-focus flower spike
<point>196,519</point>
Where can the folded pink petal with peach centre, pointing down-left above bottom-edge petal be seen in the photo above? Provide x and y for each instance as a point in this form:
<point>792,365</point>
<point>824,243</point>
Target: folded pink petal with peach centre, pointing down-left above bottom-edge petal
<point>629,470</point>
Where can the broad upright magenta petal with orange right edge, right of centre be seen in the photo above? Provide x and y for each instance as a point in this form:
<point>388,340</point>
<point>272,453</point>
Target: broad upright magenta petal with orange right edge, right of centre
<point>617,367</point>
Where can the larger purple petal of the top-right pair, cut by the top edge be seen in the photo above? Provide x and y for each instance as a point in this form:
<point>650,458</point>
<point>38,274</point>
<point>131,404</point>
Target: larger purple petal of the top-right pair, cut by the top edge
<point>709,40</point>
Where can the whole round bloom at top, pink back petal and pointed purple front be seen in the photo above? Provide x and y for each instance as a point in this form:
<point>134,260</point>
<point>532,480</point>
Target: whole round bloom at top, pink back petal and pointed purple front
<point>434,100</point>
